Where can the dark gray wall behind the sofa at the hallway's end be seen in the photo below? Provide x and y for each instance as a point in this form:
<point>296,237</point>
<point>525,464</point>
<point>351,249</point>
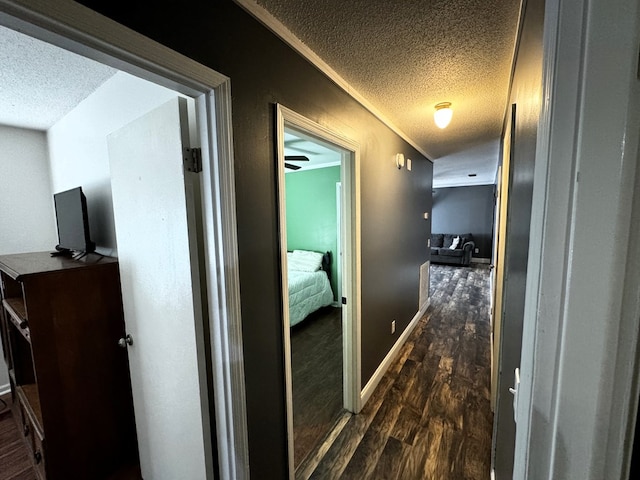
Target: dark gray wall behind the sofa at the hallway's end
<point>466,210</point>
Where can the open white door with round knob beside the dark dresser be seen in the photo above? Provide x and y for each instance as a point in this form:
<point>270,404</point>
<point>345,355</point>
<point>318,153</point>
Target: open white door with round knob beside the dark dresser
<point>161,295</point>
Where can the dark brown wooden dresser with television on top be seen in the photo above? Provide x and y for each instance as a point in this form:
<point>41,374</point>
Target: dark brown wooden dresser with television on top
<point>61,322</point>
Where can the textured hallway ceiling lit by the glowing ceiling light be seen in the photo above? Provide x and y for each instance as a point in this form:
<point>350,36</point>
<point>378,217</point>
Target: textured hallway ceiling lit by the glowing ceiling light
<point>405,56</point>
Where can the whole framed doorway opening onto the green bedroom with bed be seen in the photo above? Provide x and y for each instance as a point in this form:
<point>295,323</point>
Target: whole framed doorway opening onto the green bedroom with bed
<point>318,193</point>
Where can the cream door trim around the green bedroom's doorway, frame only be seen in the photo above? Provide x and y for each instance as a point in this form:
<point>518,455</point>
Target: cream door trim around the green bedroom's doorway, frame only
<point>350,179</point>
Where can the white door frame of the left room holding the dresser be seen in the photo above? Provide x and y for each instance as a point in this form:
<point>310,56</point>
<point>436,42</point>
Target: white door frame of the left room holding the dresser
<point>78,29</point>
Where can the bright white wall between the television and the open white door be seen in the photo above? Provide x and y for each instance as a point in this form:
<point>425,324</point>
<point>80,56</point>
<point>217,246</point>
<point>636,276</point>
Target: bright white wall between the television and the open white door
<point>78,146</point>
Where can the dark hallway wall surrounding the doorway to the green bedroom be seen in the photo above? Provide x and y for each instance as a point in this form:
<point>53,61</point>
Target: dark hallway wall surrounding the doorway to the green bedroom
<point>265,71</point>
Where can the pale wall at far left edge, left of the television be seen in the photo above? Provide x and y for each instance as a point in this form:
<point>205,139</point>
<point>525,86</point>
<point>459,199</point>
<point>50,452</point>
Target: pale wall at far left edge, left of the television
<point>26,207</point>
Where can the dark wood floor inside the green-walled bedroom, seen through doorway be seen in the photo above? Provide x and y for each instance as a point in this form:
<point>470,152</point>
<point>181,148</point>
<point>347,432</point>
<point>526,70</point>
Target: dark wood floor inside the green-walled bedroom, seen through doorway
<point>316,368</point>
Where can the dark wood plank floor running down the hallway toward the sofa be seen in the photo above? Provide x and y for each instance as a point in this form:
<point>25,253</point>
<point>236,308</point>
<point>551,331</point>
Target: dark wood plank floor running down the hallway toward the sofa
<point>430,416</point>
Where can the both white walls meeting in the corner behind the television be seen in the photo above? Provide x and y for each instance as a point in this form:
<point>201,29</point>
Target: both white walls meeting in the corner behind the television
<point>34,165</point>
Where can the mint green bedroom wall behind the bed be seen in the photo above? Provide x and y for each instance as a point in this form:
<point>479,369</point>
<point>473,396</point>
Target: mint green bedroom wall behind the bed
<point>312,213</point>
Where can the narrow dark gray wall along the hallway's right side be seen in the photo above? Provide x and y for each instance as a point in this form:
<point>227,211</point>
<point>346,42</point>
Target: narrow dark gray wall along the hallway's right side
<point>526,95</point>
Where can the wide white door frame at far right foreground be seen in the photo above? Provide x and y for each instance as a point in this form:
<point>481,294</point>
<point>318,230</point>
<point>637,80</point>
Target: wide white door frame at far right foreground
<point>579,367</point>
